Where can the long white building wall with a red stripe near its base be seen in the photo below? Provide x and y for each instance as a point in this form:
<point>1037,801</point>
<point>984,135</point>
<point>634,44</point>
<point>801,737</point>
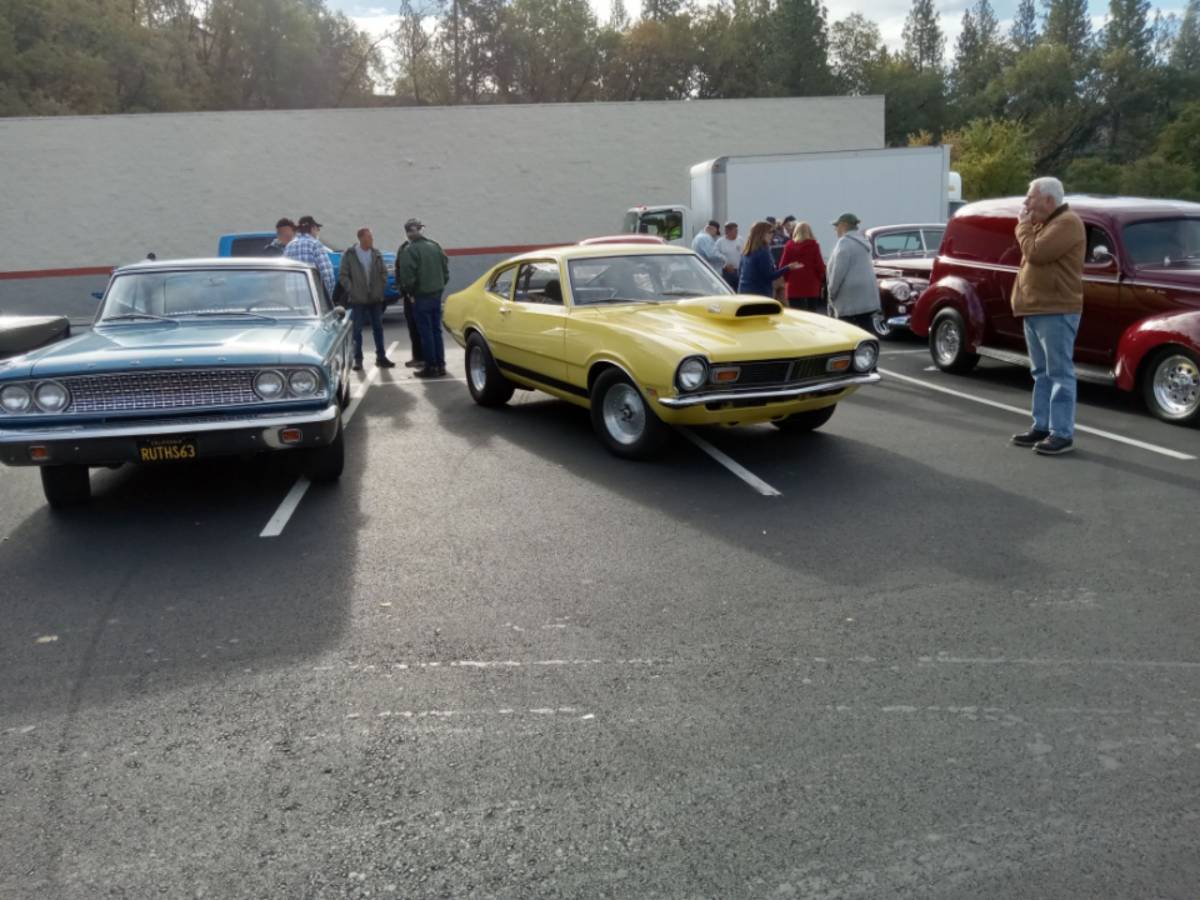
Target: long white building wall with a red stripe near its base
<point>89,191</point>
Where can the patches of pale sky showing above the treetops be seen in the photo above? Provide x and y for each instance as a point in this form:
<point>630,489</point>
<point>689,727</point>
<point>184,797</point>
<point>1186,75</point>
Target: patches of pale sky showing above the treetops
<point>889,15</point>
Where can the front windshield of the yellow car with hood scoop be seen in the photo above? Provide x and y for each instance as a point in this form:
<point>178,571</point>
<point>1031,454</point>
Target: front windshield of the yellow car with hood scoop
<point>643,279</point>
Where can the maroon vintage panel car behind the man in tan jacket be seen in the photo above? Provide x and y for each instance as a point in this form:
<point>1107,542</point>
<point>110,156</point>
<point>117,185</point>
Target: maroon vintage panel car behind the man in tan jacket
<point>1142,297</point>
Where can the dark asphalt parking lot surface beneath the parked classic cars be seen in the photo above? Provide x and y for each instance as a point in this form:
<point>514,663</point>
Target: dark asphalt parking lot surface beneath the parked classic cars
<point>893,659</point>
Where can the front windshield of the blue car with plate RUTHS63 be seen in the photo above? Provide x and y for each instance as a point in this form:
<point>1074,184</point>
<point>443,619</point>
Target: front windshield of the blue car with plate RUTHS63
<point>181,295</point>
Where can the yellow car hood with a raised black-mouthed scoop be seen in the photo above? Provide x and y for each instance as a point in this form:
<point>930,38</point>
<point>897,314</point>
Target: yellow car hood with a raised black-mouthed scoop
<point>713,327</point>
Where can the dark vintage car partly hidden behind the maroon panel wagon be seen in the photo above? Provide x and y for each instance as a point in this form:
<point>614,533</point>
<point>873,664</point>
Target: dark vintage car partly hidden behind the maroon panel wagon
<point>904,256</point>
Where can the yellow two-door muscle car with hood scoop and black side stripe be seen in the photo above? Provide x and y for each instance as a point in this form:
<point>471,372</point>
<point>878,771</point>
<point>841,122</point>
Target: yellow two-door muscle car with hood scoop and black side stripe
<point>649,337</point>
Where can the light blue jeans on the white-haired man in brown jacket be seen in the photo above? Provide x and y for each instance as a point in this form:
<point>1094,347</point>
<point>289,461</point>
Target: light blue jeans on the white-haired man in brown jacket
<point>1052,343</point>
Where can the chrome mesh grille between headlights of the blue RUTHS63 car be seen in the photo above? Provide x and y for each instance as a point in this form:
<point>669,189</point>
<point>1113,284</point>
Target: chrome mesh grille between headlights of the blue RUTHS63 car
<point>130,392</point>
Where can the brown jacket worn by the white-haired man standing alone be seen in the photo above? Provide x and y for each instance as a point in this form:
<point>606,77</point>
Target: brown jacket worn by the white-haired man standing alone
<point>1052,275</point>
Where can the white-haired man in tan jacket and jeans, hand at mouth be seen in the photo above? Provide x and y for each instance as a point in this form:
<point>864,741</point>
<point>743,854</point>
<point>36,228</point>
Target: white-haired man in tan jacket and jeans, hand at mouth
<point>1049,297</point>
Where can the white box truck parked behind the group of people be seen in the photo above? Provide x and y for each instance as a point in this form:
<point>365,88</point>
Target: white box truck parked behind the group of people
<point>880,187</point>
